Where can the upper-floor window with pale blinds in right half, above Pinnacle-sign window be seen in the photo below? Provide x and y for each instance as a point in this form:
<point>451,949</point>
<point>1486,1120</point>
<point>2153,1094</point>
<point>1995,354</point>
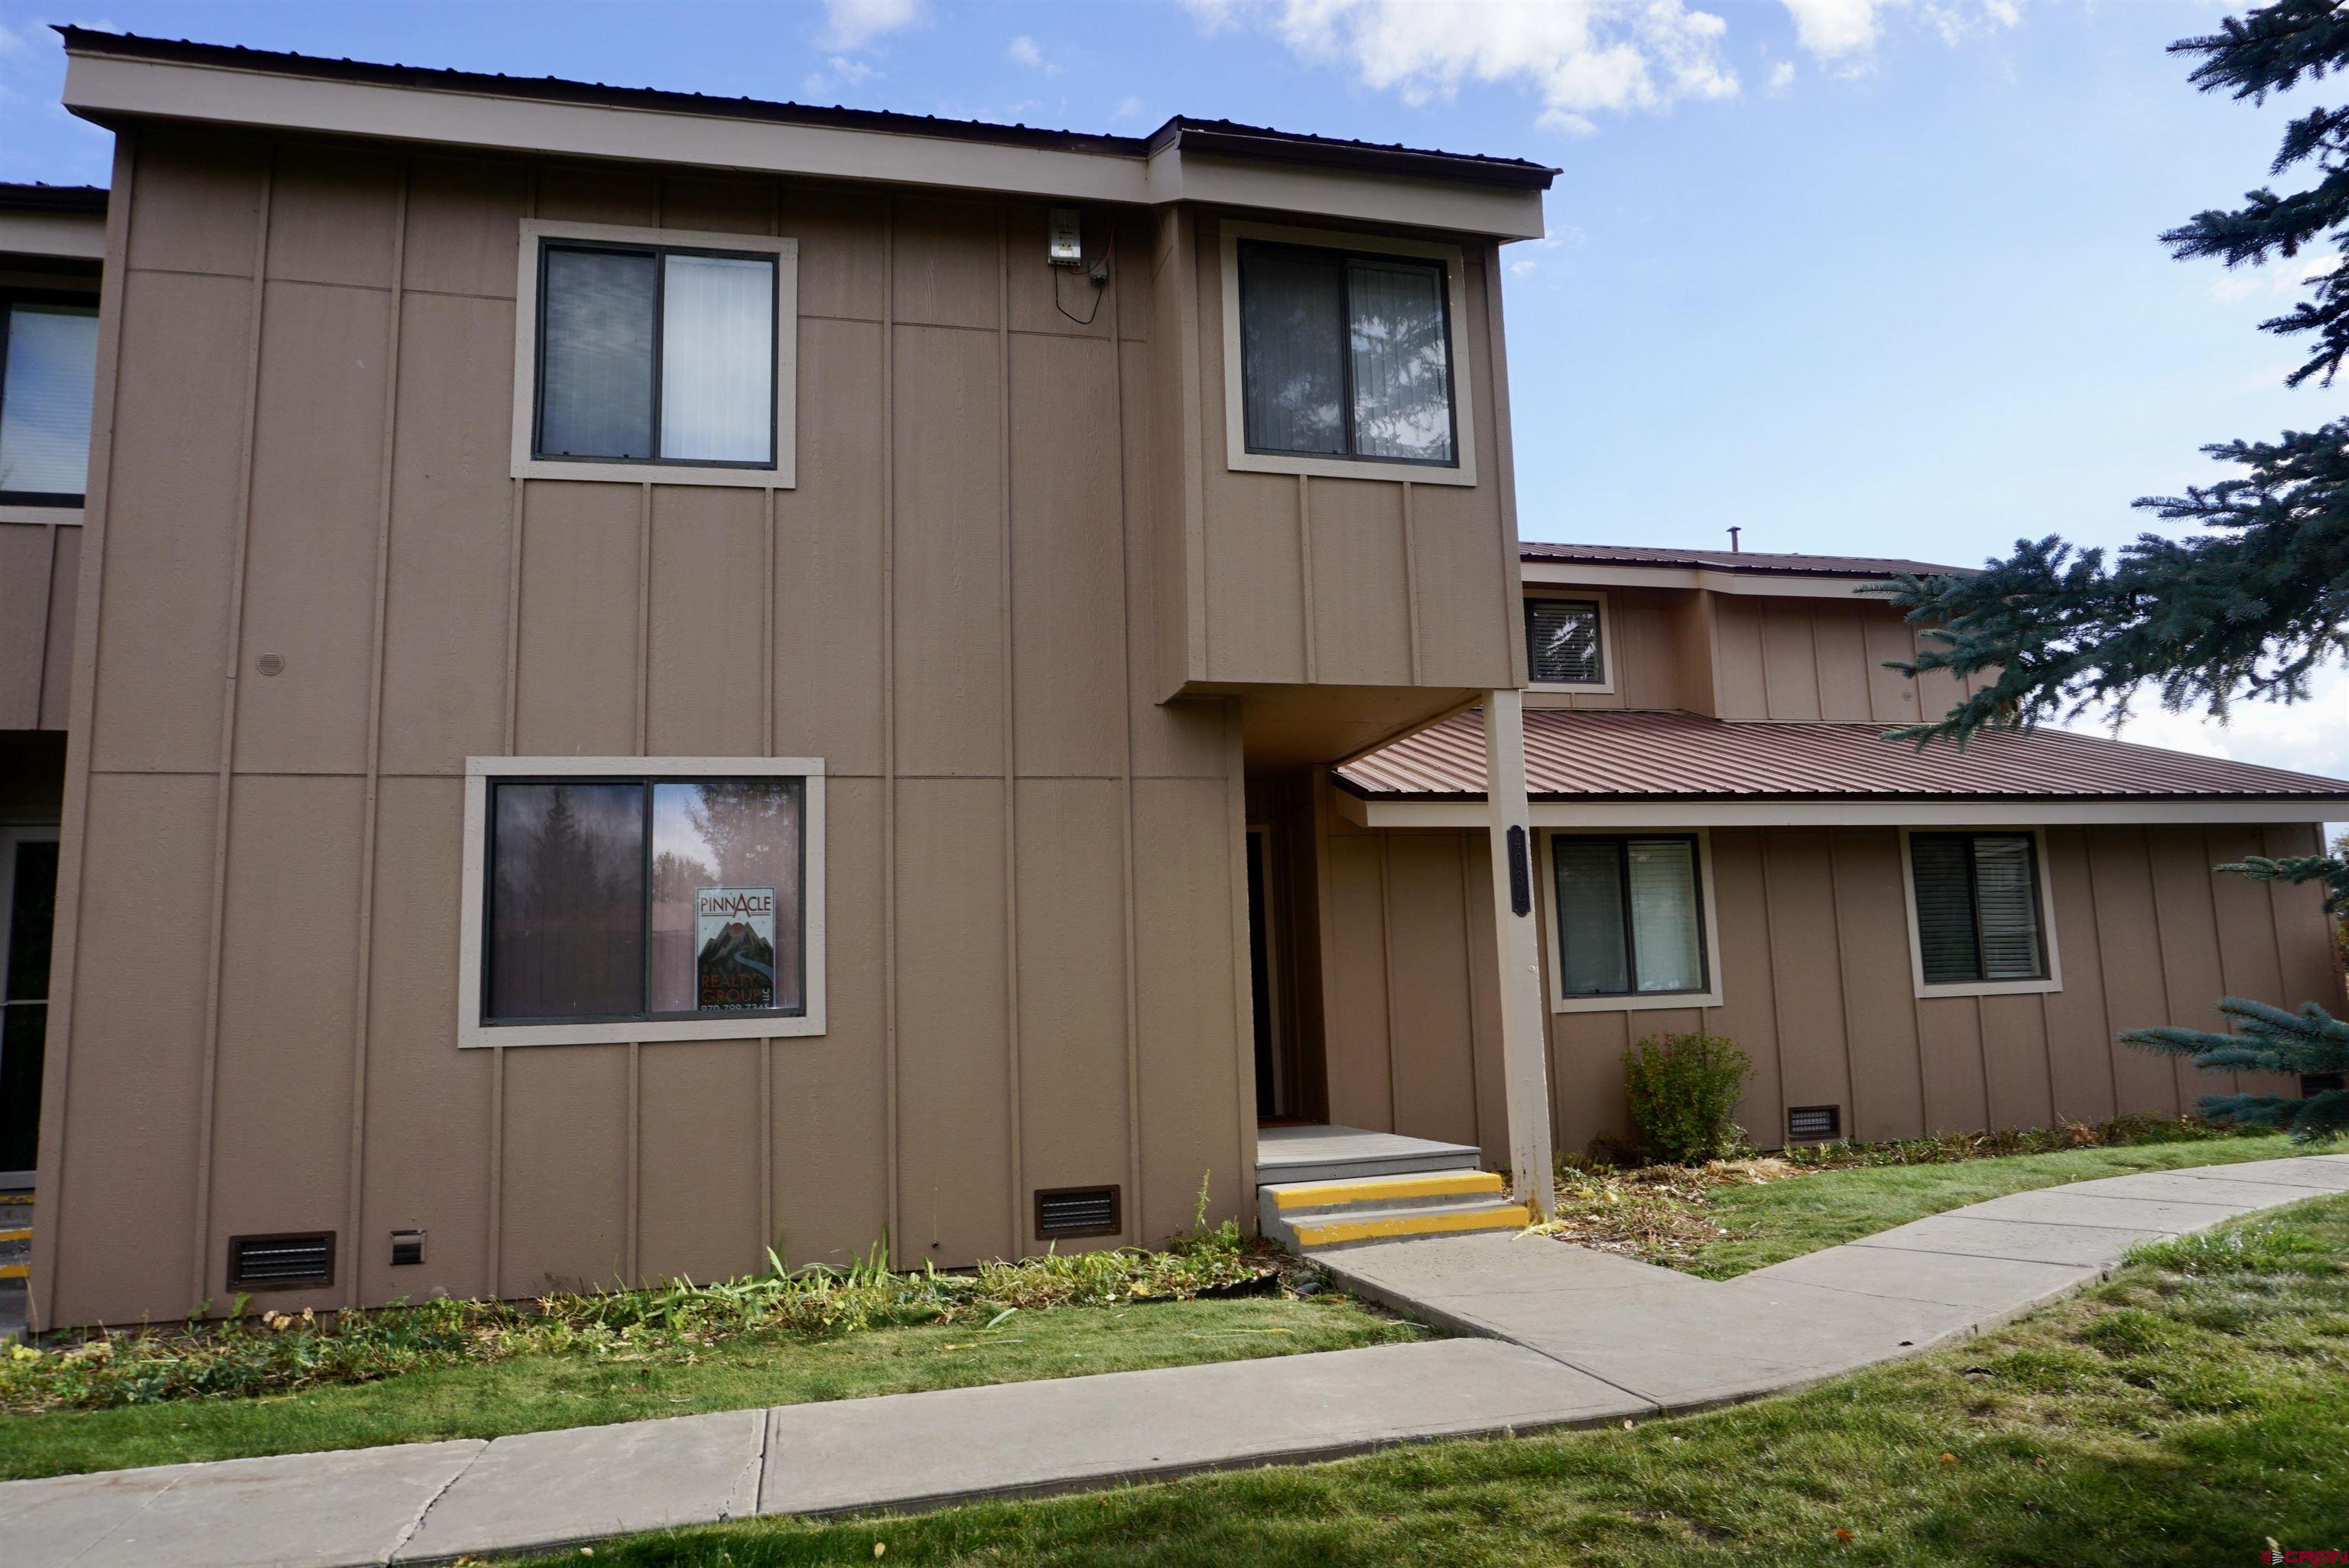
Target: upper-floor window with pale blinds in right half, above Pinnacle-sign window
<point>657,356</point>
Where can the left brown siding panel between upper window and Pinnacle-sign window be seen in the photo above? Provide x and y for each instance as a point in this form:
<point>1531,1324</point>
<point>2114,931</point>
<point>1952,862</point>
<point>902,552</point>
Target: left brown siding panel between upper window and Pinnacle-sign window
<point>579,682</point>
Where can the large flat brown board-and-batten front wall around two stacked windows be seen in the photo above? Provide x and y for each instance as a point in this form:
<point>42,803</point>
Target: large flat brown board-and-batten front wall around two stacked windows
<point>1032,863</point>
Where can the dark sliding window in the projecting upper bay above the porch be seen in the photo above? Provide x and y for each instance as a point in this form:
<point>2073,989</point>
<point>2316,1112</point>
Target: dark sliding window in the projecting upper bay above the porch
<point>1345,356</point>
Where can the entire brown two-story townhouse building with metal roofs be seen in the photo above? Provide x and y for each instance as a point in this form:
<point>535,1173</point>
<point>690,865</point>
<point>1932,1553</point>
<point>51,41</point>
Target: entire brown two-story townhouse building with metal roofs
<point>657,677</point>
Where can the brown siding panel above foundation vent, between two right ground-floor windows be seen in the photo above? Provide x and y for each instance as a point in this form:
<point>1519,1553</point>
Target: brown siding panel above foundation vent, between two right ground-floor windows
<point>1808,971</point>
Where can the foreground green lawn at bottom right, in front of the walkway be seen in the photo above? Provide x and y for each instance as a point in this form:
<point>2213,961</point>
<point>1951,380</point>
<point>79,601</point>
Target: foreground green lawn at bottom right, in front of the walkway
<point>2172,1419</point>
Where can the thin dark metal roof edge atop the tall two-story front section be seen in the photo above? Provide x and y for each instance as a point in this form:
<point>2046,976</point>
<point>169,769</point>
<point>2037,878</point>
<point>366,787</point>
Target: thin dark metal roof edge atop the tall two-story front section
<point>1218,137</point>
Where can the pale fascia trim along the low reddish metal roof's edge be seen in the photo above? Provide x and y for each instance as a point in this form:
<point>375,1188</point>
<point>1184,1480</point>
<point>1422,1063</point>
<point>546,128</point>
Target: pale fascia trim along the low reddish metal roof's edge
<point>1906,811</point>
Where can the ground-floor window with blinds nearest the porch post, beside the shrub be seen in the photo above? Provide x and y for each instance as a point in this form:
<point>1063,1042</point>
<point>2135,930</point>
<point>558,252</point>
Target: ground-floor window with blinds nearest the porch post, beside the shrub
<point>1631,917</point>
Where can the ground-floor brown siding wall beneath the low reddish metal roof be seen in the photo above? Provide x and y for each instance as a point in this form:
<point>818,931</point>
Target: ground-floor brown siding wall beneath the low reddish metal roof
<point>1817,985</point>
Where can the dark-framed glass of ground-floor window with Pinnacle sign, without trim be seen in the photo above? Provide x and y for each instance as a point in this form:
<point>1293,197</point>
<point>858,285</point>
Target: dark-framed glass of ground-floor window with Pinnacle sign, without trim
<point>645,900</point>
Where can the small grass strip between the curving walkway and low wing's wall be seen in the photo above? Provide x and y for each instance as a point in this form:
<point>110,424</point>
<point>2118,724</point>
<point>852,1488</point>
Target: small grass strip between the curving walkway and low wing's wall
<point>1784,1219</point>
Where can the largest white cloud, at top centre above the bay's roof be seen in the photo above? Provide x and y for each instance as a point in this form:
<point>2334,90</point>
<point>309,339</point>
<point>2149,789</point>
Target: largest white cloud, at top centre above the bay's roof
<point>1582,58</point>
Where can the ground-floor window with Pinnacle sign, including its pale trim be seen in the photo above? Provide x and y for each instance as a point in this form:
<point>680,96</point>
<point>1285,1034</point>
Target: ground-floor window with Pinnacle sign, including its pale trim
<point>642,900</point>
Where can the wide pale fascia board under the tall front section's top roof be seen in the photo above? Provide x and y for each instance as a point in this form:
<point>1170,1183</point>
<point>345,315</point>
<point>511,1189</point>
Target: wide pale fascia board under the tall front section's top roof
<point>274,100</point>
